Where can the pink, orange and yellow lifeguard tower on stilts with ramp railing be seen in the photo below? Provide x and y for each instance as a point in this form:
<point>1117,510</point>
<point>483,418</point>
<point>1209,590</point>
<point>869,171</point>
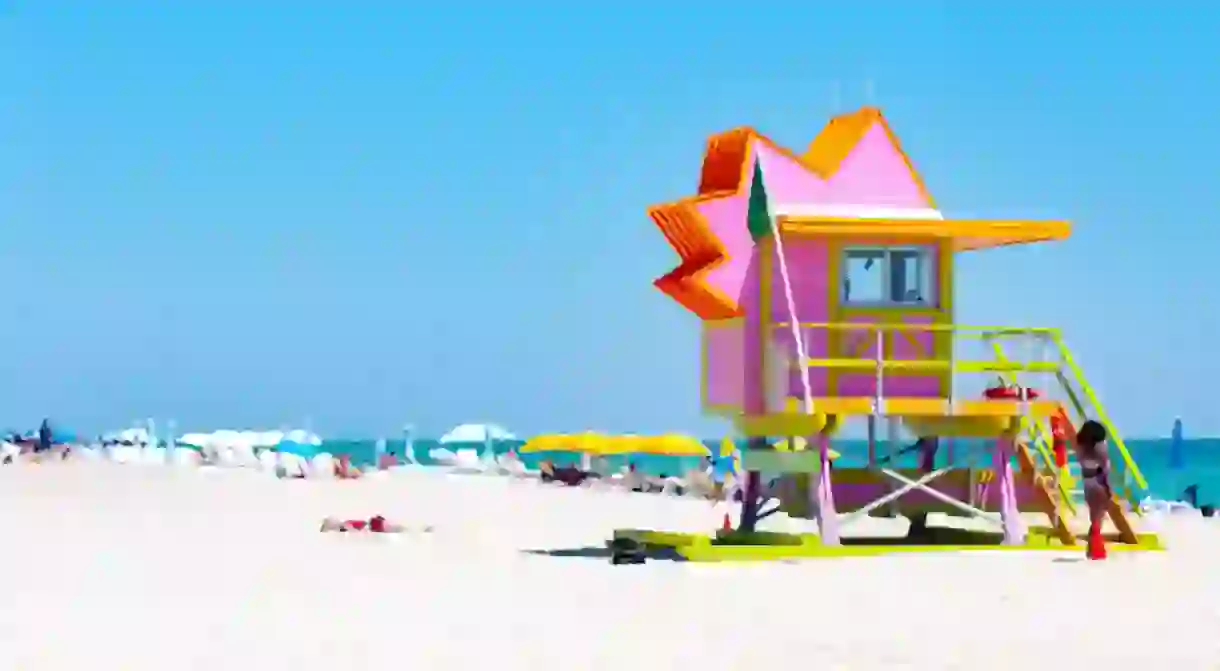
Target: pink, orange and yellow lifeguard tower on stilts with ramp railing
<point>825,286</point>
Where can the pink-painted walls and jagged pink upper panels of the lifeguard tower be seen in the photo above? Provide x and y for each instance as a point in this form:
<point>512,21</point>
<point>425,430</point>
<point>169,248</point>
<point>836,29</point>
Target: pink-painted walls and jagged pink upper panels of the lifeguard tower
<point>874,174</point>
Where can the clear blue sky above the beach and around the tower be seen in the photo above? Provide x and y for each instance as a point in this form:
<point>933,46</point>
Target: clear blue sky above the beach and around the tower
<point>247,214</point>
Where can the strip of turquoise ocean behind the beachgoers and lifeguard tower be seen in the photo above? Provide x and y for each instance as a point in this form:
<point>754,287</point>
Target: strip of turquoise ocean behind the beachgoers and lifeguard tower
<point>1202,461</point>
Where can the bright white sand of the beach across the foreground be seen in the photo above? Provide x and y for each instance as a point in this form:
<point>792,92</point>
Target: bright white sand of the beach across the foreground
<point>129,568</point>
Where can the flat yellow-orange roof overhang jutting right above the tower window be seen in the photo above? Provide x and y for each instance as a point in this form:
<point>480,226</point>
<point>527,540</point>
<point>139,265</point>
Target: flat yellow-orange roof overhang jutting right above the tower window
<point>966,235</point>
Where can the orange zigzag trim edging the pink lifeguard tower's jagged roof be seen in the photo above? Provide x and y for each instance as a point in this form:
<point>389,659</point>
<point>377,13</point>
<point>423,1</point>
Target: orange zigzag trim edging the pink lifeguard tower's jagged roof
<point>727,174</point>
